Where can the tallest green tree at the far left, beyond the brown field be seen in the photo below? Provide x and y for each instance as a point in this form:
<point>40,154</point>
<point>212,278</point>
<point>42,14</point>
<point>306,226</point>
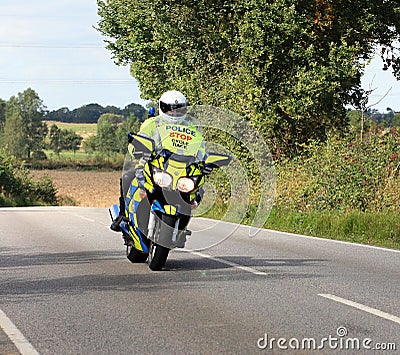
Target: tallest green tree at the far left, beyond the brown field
<point>25,111</point>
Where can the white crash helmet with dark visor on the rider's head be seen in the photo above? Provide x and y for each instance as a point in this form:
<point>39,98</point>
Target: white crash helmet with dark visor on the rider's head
<point>173,107</point>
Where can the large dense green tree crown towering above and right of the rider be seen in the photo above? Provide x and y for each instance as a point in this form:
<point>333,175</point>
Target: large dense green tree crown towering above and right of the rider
<point>290,66</point>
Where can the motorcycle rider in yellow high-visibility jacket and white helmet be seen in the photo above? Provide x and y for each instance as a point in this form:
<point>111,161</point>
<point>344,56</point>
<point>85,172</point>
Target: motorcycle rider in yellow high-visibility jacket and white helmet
<point>172,111</point>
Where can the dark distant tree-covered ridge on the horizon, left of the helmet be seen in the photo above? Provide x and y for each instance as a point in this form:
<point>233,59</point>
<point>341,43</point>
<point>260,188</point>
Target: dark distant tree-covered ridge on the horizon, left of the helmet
<point>90,113</point>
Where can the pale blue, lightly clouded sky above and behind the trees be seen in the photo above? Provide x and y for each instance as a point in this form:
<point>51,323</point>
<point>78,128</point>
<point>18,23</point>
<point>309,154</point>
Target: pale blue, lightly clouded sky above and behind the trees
<point>53,48</point>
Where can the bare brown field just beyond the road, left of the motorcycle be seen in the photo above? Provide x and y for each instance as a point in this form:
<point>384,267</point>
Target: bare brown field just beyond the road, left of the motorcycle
<point>84,188</point>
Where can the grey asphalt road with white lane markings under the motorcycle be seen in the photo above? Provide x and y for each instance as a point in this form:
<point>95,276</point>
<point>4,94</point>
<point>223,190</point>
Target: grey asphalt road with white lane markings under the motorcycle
<point>66,287</point>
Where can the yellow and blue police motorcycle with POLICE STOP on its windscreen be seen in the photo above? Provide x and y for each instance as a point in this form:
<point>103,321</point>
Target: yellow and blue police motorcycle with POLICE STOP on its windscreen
<point>157,213</point>
